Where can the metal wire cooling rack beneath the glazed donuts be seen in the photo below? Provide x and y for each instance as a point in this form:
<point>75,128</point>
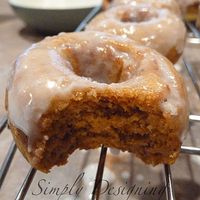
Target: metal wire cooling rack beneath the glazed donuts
<point>170,193</point>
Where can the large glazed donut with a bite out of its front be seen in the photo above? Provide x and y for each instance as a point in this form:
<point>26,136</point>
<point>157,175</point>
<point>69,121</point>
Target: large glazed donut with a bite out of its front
<point>64,88</point>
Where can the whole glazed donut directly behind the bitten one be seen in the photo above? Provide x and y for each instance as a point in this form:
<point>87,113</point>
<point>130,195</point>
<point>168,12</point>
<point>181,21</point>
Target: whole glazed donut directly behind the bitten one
<point>152,27</point>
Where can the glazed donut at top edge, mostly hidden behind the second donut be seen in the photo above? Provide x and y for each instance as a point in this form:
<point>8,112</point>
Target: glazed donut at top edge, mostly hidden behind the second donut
<point>171,5</point>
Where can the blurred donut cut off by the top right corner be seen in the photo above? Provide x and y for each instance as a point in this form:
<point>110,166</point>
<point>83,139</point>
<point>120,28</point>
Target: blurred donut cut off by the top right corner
<point>189,9</point>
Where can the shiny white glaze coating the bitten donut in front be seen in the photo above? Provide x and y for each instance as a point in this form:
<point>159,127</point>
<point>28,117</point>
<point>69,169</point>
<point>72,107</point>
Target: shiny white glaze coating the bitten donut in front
<point>46,71</point>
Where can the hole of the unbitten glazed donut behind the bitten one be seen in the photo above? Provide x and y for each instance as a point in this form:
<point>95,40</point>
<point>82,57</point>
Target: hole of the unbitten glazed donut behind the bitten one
<point>137,16</point>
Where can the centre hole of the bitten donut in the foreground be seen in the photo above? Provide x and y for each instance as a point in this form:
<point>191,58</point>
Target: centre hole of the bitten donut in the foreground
<point>101,65</point>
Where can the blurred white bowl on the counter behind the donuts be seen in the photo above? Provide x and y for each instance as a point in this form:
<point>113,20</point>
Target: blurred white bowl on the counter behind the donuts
<point>53,16</point>
